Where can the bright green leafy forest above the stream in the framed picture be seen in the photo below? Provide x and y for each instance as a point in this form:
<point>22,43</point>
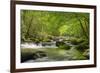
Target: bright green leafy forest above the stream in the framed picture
<point>45,25</point>
